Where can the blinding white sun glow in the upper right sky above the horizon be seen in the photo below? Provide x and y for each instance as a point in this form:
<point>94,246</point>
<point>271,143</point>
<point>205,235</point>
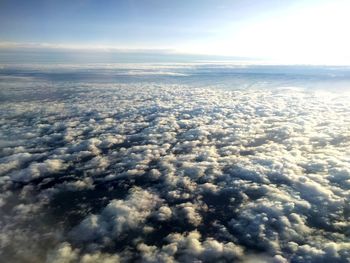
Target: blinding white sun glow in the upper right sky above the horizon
<point>314,34</point>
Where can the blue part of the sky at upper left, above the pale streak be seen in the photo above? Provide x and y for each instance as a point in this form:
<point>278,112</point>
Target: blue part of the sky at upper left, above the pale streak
<point>123,22</point>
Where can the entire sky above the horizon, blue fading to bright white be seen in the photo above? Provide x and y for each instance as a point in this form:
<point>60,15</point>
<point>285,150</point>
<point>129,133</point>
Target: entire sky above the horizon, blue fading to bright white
<point>310,31</point>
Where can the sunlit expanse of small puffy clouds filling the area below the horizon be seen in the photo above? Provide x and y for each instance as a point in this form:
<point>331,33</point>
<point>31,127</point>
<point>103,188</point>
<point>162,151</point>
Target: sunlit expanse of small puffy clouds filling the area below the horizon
<point>165,173</point>
